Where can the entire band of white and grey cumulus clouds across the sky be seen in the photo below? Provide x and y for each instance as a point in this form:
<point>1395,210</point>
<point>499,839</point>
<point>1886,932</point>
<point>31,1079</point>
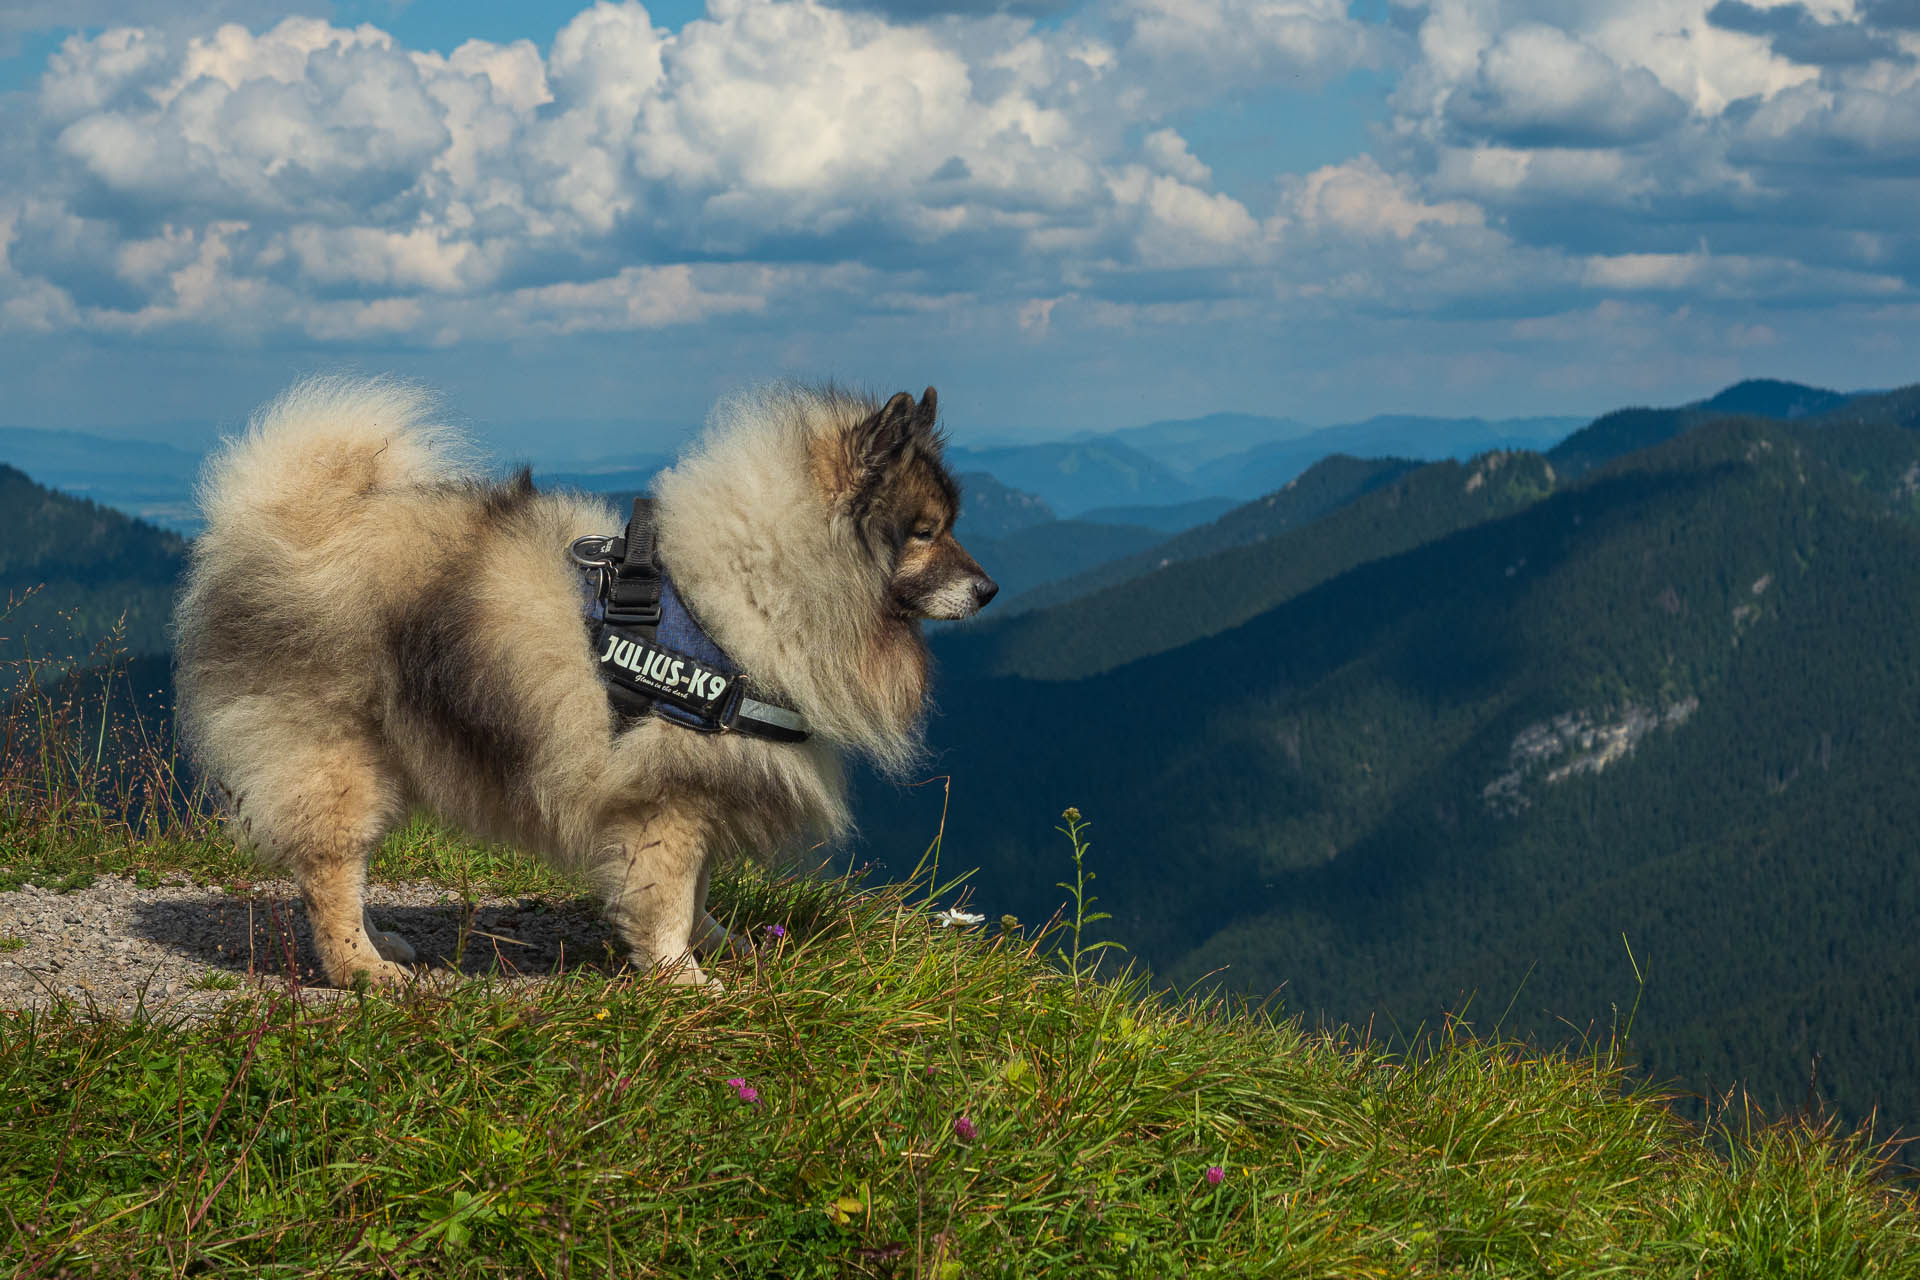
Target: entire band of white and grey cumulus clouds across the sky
<point>934,158</point>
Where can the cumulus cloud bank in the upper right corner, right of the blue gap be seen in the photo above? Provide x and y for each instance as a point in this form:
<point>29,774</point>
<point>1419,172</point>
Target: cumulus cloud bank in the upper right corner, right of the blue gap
<point>1644,126</point>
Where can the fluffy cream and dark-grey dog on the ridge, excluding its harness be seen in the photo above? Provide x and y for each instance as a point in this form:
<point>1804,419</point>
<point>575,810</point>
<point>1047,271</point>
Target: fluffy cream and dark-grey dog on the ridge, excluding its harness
<point>372,627</point>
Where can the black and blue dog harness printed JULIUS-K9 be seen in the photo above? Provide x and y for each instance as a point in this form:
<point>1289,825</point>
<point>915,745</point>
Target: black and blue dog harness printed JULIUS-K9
<point>652,652</point>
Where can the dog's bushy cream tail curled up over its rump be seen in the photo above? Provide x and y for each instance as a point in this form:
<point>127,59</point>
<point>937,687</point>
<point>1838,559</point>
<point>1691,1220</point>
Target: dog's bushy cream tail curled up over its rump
<point>324,444</point>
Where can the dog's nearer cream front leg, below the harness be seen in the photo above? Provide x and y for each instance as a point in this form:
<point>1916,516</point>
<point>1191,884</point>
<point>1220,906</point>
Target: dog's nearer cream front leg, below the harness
<point>652,872</point>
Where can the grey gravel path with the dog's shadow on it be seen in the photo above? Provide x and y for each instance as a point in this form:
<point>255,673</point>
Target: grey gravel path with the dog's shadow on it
<point>181,951</point>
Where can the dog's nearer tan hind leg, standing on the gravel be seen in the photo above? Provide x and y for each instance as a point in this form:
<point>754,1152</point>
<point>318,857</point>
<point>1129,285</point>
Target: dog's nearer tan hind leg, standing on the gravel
<point>320,811</point>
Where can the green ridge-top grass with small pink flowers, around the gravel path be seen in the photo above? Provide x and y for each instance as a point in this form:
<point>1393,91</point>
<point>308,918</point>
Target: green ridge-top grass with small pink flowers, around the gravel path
<point>873,1097</point>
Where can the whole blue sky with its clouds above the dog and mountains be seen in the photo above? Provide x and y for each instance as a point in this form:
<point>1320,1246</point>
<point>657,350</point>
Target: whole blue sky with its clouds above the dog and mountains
<point>583,224</point>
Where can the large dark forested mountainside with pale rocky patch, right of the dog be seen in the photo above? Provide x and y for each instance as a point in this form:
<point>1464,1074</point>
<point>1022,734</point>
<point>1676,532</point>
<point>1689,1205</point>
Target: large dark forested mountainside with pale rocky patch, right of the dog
<point>1493,736</point>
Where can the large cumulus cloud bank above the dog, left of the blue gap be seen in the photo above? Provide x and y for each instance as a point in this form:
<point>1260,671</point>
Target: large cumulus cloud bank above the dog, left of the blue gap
<point>335,181</point>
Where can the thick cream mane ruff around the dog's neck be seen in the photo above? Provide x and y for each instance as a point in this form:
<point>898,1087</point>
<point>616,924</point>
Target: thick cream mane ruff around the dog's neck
<point>784,581</point>
